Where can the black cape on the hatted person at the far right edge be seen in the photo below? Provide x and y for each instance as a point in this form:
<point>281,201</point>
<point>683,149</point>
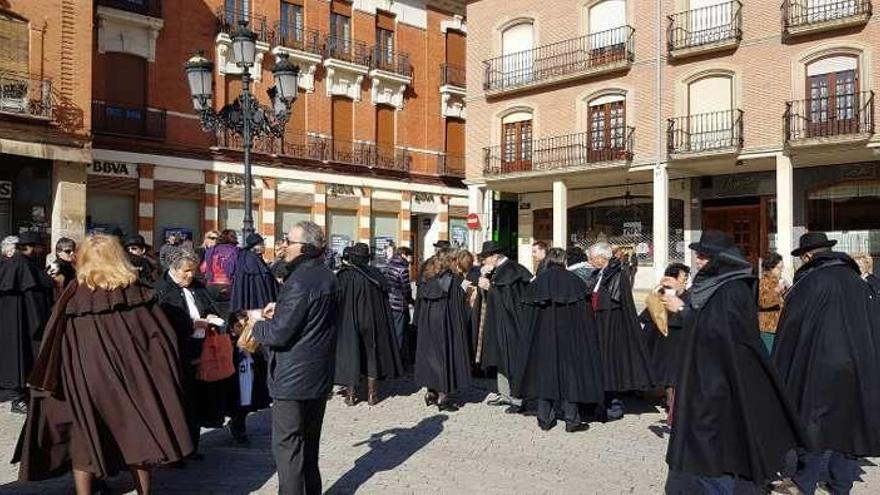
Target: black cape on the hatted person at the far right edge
<point>827,351</point>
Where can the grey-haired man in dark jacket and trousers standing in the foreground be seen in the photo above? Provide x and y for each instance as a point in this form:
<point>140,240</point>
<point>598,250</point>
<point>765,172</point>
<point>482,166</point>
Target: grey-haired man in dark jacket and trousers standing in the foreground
<point>301,338</point>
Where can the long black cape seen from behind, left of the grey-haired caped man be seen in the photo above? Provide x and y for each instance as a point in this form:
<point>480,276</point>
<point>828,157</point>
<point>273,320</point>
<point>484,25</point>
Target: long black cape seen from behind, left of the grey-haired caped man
<point>561,353</point>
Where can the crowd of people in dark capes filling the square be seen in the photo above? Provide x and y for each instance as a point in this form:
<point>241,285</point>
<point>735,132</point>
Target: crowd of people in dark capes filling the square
<point>768,385</point>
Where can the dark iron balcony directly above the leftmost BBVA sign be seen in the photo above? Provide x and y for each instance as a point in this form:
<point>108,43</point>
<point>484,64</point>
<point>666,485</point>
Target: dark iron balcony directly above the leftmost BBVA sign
<point>128,121</point>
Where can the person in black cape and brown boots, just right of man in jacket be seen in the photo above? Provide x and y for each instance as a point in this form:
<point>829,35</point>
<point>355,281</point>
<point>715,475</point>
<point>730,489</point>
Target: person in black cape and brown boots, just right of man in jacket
<point>366,343</point>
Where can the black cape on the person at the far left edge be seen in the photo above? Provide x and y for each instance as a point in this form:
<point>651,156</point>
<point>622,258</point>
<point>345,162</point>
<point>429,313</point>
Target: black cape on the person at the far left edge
<point>26,294</point>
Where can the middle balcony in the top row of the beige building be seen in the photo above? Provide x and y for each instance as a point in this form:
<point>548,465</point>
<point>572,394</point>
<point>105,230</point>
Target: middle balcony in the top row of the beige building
<point>704,30</point>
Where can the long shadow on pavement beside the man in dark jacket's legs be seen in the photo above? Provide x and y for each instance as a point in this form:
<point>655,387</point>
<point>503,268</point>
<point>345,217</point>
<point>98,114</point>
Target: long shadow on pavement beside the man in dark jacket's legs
<point>385,455</point>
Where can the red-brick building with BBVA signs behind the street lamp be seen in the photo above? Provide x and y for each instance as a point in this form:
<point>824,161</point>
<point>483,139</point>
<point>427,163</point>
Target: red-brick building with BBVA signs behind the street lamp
<point>373,151</point>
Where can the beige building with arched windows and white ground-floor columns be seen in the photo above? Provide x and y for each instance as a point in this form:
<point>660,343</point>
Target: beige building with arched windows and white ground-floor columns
<point>645,123</point>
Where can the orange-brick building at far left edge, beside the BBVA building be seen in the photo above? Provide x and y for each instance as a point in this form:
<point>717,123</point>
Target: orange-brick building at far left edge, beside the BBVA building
<point>44,115</point>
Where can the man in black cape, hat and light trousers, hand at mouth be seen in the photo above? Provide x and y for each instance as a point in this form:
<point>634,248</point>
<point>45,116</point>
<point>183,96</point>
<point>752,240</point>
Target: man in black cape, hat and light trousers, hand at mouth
<point>504,282</point>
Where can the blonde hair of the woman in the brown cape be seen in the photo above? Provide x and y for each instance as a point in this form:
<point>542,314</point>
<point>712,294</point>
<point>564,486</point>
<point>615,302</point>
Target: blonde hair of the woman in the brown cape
<point>102,264</point>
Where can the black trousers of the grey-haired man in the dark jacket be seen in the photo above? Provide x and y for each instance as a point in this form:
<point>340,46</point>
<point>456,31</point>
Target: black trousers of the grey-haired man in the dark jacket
<point>296,435</point>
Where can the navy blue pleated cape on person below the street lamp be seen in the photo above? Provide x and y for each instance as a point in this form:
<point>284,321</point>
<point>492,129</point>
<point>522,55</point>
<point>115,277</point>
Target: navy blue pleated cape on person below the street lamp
<point>253,285</point>
